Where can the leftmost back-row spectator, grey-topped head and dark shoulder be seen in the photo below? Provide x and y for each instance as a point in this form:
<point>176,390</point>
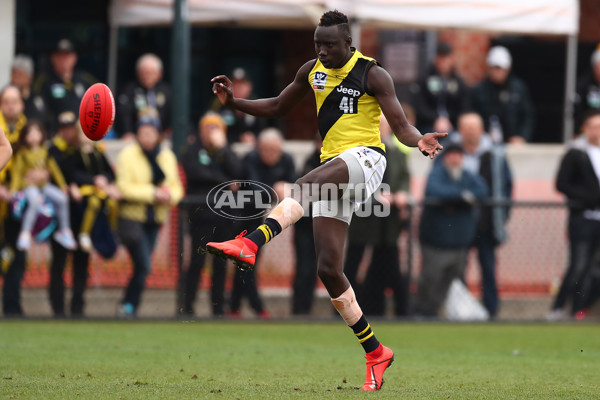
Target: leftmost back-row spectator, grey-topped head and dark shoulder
<point>22,77</point>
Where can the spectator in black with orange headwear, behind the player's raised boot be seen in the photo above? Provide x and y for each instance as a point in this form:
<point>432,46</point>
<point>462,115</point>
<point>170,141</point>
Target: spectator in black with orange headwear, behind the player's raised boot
<point>207,162</point>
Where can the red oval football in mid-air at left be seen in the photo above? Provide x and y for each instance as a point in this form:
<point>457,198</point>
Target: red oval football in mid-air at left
<point>97,111</point>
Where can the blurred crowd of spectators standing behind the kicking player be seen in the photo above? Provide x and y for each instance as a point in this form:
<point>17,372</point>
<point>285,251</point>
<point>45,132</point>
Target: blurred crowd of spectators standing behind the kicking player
<point>60,187</point>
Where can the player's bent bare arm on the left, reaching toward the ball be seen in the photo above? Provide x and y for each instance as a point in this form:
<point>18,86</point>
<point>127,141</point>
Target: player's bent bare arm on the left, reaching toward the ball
<point>271,107</point>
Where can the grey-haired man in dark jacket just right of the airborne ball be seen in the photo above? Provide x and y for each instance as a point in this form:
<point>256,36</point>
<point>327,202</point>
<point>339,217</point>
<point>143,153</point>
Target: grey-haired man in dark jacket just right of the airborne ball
<point>147,94</point>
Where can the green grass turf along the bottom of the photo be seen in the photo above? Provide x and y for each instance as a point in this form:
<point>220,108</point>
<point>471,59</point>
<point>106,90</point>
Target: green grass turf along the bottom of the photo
<point>220,360</point>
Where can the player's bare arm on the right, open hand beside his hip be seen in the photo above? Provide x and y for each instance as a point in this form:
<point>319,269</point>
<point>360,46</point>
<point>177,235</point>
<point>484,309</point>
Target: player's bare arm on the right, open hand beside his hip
<point>380,84</point>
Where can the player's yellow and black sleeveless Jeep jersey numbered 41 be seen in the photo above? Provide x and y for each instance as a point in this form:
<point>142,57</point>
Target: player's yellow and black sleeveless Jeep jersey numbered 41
<point>348,115</point>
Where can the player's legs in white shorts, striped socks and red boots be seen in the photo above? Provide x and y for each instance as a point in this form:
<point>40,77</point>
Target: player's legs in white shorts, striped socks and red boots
<point>330,235</point>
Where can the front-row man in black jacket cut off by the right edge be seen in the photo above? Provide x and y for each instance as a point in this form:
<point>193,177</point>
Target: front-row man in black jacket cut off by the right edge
<point>579,179</point>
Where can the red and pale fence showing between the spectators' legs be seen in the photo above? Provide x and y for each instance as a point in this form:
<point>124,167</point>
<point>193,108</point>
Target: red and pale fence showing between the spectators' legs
<point>529,269</point>
